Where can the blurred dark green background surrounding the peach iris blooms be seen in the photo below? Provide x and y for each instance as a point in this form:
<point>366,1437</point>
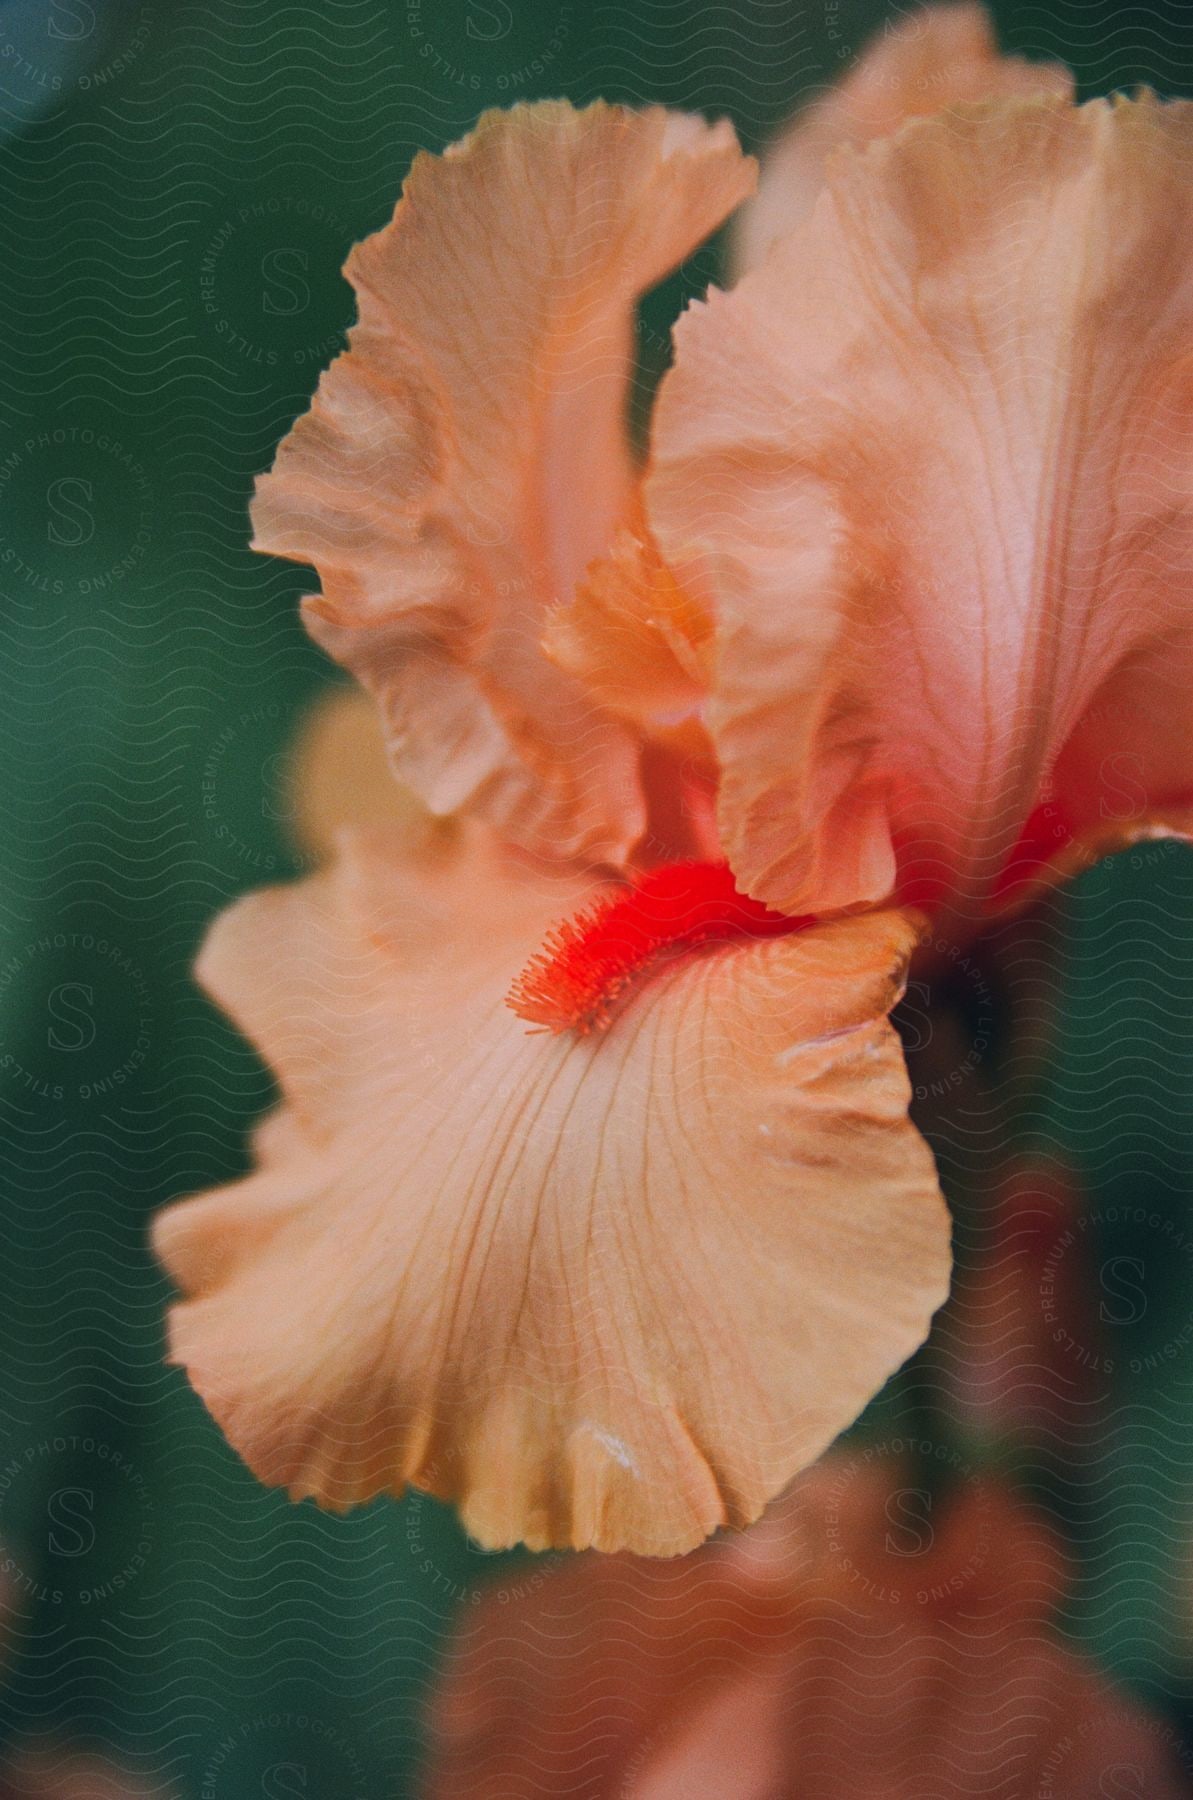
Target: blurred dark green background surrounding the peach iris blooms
<point>181,184</point>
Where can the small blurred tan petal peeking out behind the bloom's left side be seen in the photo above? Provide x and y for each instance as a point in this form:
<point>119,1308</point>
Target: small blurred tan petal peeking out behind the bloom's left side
<point>339,777</point>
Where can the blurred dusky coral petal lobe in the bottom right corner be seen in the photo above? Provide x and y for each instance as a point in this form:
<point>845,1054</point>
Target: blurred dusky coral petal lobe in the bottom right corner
<point>897,1714</point>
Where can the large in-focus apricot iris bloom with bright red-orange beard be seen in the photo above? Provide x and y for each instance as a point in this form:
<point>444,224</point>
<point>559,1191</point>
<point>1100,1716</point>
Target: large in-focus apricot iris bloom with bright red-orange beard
<point>888,624</point>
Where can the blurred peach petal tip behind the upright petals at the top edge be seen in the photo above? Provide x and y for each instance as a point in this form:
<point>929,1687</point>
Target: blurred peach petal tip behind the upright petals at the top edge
<point>935,58</point>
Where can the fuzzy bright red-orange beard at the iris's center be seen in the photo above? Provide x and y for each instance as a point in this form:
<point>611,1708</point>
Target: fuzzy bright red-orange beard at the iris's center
<point>588,962</point>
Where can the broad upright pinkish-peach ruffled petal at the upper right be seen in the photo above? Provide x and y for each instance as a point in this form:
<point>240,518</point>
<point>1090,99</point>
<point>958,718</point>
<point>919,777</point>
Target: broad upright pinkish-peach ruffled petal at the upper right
<point>929,469</point>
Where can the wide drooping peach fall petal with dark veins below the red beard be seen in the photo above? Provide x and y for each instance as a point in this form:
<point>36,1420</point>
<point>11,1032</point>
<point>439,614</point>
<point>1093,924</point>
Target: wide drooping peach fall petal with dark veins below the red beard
<point>604,1290</point>
